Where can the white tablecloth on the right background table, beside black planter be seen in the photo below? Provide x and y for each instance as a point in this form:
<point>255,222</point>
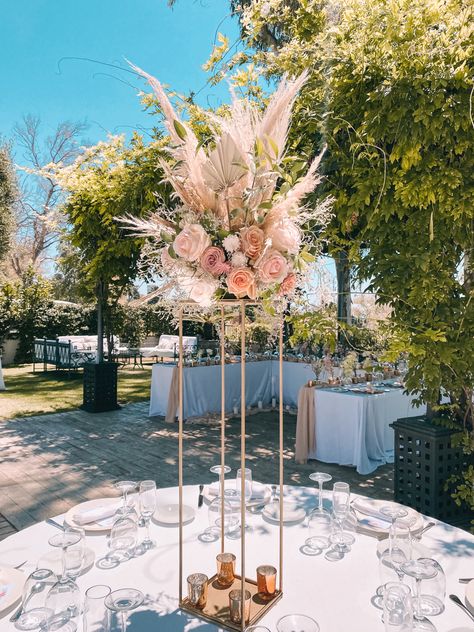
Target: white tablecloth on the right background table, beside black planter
<point>354,429</point>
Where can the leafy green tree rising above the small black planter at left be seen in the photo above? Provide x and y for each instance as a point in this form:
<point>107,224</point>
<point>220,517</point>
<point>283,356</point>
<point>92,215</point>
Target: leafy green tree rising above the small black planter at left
<point>107,181</point>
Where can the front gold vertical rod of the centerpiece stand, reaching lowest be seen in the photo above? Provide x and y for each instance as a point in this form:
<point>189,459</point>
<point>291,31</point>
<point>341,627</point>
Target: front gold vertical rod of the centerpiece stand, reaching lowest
<point>242,460</point>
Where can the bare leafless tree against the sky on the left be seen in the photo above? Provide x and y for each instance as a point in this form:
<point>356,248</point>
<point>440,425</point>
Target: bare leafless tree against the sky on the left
<point>39,220</point>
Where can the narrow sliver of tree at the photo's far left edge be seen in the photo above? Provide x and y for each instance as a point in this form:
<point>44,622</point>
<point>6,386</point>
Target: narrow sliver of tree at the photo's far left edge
<point>8,200</point>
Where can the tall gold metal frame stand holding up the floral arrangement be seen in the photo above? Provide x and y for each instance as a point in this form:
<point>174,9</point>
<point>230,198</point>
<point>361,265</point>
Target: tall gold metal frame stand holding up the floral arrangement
<point>216,609</point>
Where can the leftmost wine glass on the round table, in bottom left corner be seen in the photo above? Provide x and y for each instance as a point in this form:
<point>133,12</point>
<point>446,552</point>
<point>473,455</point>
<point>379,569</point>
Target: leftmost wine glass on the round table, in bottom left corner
<point>33,609</point>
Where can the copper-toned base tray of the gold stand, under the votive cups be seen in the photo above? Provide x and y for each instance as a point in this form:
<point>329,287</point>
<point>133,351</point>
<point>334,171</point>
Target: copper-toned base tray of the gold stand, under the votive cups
<point>216,609</point>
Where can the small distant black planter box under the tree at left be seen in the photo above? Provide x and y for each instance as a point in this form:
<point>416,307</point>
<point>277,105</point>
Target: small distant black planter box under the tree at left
<point>100,387</point>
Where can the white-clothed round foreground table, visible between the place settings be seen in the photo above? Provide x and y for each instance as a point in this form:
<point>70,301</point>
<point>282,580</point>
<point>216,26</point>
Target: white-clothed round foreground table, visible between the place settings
<point>337,594</point>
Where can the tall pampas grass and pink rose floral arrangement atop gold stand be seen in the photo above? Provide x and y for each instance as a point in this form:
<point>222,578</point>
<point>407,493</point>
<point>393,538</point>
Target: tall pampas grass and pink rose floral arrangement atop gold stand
<point>237,228</point>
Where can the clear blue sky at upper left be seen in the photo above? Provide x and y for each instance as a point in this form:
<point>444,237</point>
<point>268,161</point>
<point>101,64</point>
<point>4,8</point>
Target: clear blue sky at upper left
<point>35,35</point>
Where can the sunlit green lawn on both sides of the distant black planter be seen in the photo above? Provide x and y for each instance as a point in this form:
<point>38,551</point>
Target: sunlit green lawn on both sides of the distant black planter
<point>38,393</point>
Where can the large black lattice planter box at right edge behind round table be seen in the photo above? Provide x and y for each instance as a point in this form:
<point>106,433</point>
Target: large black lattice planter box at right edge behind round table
<point>424,461</point>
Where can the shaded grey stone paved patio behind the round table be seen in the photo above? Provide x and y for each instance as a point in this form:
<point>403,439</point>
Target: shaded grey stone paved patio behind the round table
<point>50,462</point>
